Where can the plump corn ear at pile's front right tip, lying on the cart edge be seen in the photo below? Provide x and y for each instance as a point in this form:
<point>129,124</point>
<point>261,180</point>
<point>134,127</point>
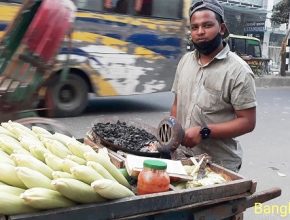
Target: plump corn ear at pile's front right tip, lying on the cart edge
<point>111,189</point>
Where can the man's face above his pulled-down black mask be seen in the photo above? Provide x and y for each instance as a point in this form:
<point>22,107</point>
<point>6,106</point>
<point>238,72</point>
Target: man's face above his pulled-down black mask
<point>205,26</point>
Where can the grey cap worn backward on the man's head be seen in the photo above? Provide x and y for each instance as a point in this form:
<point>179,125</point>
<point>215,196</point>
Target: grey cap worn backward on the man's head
<point>212,5</point>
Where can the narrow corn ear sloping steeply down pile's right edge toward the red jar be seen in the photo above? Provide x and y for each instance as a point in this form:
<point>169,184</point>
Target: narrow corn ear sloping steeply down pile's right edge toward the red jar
<point>108,166</point>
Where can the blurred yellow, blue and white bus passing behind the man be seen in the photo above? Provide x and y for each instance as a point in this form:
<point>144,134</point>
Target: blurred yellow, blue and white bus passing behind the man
<point>120,47</point>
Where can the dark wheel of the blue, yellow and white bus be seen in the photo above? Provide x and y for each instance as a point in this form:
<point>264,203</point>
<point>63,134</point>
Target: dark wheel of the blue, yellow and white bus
<point>66,98</point>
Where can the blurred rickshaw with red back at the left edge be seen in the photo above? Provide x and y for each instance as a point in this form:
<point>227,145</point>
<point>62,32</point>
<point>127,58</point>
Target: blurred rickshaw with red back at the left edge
<point>27,55</point>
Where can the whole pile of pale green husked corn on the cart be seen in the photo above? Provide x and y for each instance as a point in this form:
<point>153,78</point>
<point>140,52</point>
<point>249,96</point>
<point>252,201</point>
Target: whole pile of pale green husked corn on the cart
<point>41,171</point>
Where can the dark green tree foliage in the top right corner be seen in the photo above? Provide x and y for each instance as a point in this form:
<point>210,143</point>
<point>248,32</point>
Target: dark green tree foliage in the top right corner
<point>281,12</point>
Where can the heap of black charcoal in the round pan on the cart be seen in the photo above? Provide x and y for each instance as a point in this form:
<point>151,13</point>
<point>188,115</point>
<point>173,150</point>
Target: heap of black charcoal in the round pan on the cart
<point>126,136</point>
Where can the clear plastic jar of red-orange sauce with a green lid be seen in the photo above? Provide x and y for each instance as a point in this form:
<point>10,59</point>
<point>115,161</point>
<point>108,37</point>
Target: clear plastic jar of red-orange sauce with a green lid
<point>153,178</point>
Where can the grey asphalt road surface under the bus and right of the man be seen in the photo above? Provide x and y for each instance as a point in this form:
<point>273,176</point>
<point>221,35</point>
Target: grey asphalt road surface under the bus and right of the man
<point>266,149</point>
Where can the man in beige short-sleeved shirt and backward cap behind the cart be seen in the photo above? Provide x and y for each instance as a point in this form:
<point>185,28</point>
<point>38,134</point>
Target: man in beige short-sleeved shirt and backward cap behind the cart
<point>215,98</point>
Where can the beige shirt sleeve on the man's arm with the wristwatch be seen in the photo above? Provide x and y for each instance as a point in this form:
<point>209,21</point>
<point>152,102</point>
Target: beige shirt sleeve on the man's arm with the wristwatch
<point>243,95</point>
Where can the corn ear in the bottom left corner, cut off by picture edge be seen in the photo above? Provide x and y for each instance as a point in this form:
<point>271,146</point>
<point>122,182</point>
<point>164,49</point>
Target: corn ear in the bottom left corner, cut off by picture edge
<point>12,205</point>
